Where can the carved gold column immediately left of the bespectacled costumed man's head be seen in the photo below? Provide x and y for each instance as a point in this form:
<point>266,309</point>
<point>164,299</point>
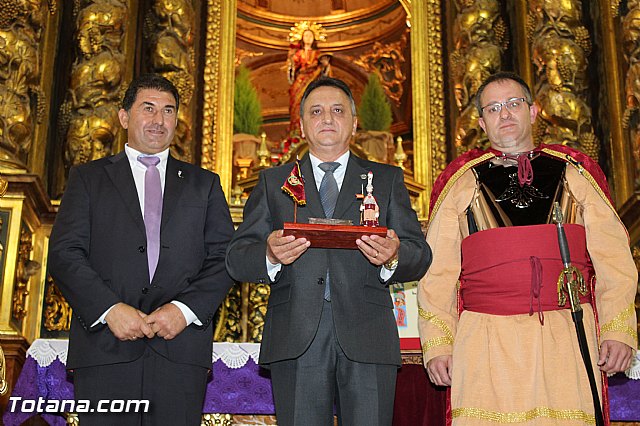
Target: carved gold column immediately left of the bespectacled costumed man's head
<point>479,40</point>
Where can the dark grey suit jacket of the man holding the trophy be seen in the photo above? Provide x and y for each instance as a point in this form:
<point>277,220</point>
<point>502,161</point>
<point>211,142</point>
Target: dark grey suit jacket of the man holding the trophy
<point>361,303</point>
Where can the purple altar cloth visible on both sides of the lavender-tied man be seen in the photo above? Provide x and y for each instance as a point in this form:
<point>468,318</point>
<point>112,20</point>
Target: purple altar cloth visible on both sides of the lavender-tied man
<point>244,390</point>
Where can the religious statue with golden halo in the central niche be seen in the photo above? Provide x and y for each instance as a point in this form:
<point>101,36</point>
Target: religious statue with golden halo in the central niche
<point>305,63</point>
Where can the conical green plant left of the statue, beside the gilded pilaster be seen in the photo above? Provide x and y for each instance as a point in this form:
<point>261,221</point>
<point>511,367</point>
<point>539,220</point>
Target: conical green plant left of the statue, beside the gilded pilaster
<point>247,111</point>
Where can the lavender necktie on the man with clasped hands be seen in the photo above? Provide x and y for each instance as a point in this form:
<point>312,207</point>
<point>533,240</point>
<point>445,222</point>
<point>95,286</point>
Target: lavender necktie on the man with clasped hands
<point>152,210</point>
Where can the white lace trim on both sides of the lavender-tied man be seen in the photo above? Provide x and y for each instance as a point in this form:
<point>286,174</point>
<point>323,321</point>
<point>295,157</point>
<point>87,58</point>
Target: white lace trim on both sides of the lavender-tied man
<point>233,355</point>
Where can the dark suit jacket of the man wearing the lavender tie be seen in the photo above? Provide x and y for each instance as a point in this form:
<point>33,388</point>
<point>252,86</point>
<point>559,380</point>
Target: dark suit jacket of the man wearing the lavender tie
<point>97,256</point>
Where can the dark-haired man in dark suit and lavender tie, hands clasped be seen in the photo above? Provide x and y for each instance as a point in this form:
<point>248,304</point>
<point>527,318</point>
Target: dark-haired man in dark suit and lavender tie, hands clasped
<point>141,331</point>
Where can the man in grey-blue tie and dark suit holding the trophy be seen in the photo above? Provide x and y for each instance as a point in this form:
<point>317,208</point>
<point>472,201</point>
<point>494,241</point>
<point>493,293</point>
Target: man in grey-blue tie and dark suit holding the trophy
<point>330,334</point>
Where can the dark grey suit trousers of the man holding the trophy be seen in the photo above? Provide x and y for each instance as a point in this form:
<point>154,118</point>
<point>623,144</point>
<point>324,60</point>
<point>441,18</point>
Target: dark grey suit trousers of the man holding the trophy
<point>306,388</point>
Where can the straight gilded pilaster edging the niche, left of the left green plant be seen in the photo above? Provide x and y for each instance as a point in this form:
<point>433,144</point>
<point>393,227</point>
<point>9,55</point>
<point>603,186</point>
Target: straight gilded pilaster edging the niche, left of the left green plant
<point>217,120</point>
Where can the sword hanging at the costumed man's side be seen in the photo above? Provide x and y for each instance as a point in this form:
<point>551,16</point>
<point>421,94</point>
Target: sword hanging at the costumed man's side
<point>572,283</point>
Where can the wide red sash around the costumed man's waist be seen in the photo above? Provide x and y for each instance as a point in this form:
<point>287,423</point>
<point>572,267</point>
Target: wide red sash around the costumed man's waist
<point>514,270</point>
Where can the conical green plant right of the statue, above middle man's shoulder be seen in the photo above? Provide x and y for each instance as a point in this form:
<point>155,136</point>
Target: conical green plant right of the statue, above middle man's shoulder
<point>374,112</point>
